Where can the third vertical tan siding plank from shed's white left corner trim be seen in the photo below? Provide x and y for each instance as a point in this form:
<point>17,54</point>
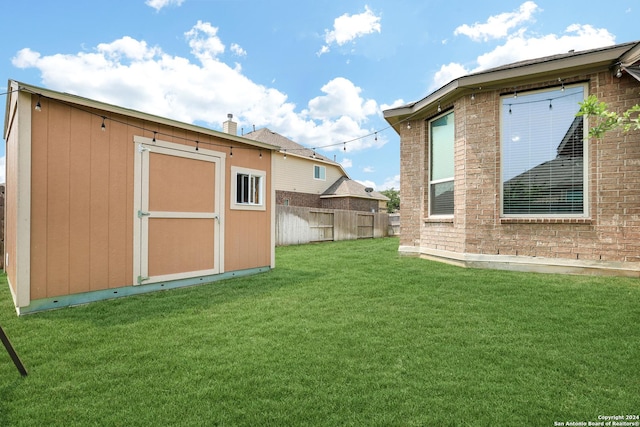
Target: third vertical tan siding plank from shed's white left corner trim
<point>79,199</point>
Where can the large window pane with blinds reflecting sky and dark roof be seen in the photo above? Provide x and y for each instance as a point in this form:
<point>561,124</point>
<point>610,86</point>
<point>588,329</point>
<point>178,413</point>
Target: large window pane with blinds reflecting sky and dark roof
<point>543,151</point>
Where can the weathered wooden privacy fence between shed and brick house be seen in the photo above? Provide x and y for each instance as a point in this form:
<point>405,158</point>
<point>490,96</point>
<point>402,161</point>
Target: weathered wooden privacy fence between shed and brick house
<point>298,225</point>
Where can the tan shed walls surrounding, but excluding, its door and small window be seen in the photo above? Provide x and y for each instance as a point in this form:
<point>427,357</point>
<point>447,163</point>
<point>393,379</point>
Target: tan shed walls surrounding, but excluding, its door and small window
<point>81,212</point>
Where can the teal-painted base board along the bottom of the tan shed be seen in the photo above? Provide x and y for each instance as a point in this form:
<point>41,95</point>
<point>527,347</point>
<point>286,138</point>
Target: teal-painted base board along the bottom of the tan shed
<point>87,297</point>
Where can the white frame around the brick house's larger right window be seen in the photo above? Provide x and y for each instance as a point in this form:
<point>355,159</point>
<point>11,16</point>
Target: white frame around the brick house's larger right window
<point>585,156</point>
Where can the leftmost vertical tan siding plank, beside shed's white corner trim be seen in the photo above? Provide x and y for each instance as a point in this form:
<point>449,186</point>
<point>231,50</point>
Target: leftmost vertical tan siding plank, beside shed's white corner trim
<point>39,184</point>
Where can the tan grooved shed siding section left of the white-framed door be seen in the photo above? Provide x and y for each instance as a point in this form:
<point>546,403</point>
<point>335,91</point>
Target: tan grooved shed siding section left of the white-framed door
<point>80,226</point>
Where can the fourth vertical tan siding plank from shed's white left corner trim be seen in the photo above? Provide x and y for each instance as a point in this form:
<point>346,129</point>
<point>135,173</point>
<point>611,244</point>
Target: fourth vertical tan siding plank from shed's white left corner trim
<point>99,212</point>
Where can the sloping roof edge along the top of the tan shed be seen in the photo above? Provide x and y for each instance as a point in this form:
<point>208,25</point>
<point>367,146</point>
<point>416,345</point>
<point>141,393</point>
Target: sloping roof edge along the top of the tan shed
<point>98,105</point>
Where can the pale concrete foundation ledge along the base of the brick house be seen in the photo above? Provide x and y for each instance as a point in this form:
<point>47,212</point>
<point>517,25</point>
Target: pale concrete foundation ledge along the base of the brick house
<point>525,263</point>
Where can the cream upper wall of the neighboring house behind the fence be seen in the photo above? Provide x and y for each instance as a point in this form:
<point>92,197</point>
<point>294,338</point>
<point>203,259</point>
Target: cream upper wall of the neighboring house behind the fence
<point>296,175</point>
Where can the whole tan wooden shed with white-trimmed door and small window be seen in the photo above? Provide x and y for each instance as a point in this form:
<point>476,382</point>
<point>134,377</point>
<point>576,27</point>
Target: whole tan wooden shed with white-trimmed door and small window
<point>103,201</point>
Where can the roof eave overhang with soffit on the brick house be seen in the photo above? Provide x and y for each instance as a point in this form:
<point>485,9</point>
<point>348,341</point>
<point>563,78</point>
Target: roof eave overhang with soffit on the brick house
<point>519,73</point>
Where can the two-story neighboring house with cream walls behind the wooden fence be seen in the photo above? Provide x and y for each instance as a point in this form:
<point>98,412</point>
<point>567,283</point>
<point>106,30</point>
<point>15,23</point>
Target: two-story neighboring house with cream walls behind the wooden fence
<point>307,179</point>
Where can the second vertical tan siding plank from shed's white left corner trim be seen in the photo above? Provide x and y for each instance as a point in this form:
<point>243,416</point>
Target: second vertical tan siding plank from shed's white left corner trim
<point>58,202</point>
